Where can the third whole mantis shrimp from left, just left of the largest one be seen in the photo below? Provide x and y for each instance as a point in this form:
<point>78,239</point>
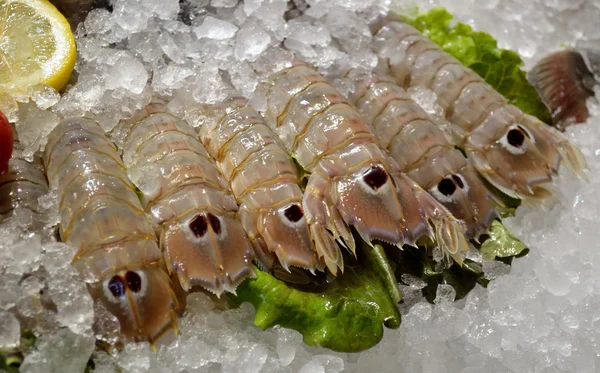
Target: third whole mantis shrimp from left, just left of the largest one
<point>265,182</point>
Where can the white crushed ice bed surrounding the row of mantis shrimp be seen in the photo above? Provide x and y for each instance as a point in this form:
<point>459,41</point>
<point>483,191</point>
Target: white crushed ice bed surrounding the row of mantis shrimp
<point>540,315</point>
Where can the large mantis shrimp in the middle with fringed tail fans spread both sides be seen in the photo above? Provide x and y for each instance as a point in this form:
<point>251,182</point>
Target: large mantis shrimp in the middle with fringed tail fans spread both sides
<point>352,181</point>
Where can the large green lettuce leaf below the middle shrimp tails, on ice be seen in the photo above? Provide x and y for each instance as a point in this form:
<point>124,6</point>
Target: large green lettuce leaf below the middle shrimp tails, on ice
<point>346,315</point>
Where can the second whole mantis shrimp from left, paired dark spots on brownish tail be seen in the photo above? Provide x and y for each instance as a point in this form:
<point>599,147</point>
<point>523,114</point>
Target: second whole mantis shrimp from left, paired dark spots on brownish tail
<point>189,203</point>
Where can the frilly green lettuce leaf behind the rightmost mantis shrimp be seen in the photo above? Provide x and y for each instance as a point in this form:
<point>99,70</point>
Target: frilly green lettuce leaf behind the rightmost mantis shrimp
<point>479,51</point>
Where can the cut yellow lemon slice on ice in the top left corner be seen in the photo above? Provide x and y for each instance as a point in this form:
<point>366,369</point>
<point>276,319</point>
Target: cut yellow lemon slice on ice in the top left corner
<point>36,45</point>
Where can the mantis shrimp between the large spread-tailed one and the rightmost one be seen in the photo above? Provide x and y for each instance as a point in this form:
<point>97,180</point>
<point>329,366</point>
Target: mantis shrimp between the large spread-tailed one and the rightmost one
<point>421,149</point>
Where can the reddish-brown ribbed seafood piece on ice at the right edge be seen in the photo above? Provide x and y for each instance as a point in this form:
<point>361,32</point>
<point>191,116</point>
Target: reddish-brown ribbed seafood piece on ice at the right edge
<point>565,81</point>
